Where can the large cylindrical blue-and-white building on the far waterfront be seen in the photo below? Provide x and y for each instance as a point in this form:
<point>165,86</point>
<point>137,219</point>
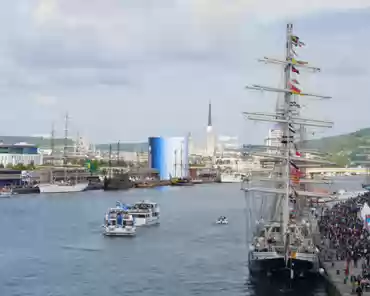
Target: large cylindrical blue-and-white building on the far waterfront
<point>170,156</point>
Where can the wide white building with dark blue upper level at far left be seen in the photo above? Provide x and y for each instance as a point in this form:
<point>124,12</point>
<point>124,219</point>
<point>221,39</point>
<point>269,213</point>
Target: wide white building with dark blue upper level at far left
<point>20,153</point>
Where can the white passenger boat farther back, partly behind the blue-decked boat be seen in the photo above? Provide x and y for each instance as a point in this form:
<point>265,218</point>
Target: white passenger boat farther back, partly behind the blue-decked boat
<point>145,213</point>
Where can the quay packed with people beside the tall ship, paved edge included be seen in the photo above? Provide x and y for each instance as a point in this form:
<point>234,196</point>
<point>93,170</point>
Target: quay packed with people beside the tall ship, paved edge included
<point>343,244</point>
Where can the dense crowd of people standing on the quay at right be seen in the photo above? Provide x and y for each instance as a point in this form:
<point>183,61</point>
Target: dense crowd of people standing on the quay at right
<point>346,237</point>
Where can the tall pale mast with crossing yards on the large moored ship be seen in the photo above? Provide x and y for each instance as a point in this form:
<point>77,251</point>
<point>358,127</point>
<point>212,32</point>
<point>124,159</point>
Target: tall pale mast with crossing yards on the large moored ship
<point>288,117</point>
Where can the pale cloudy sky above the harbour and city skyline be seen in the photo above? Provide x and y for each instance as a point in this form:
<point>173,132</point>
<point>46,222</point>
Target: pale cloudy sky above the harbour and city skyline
<point>129,69</point>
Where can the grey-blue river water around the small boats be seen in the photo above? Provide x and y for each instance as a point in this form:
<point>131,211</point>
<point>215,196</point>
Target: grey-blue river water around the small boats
<point>52,245</point>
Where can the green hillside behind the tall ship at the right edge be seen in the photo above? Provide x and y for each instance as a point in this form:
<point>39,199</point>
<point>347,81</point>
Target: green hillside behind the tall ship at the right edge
<point>343,148</point>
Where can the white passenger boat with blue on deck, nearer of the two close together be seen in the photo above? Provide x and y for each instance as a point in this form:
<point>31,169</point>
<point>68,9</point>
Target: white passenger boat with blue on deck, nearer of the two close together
<point>119,222</point>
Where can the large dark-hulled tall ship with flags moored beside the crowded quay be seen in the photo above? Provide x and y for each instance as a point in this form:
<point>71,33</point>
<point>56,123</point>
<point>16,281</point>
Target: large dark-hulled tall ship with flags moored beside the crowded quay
<point>278,217</point>
